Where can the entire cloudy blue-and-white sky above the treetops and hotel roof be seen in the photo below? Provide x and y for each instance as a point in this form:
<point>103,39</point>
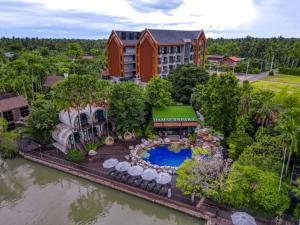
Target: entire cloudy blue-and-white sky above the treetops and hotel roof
<point>94,19</point>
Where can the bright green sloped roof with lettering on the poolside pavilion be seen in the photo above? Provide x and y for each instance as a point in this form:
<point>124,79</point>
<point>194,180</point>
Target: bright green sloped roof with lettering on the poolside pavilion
<point>183,113</point>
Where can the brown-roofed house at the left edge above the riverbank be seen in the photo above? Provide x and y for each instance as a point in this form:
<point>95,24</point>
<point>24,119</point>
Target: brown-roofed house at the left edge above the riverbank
<point>13,108</point>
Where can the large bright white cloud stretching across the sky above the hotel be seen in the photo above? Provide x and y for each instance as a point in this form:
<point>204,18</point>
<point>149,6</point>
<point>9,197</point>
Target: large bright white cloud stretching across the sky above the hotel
<point>192,14</point>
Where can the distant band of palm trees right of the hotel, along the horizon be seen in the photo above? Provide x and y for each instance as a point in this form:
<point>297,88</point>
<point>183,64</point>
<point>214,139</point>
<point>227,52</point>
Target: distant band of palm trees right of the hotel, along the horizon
<point>284,52</point>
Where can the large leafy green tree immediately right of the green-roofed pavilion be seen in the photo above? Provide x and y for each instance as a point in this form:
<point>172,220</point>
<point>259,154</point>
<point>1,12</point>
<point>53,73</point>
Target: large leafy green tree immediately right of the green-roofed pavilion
<point>218,101</point>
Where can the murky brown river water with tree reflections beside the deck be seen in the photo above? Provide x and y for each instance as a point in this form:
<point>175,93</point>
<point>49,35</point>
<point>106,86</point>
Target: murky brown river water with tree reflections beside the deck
<point>36,195</point>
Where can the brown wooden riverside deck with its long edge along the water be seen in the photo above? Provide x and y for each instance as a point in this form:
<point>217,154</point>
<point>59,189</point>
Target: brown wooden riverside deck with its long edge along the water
<point>92,170</point>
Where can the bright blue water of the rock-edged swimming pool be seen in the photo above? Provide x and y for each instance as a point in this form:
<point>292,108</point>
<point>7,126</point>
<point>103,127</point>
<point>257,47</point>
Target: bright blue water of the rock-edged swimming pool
<point>162,156</point>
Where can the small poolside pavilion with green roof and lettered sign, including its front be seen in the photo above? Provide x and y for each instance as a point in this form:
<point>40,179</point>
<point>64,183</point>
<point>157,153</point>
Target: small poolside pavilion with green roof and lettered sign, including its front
<point>175,120</point>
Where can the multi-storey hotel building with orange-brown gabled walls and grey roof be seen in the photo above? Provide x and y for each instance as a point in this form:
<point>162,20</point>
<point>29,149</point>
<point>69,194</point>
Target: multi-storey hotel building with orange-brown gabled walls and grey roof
<point>152,51</point>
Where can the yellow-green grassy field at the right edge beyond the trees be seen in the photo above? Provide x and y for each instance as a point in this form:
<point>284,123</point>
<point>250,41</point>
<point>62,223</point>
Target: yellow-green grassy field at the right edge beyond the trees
<point>278,82</point>
